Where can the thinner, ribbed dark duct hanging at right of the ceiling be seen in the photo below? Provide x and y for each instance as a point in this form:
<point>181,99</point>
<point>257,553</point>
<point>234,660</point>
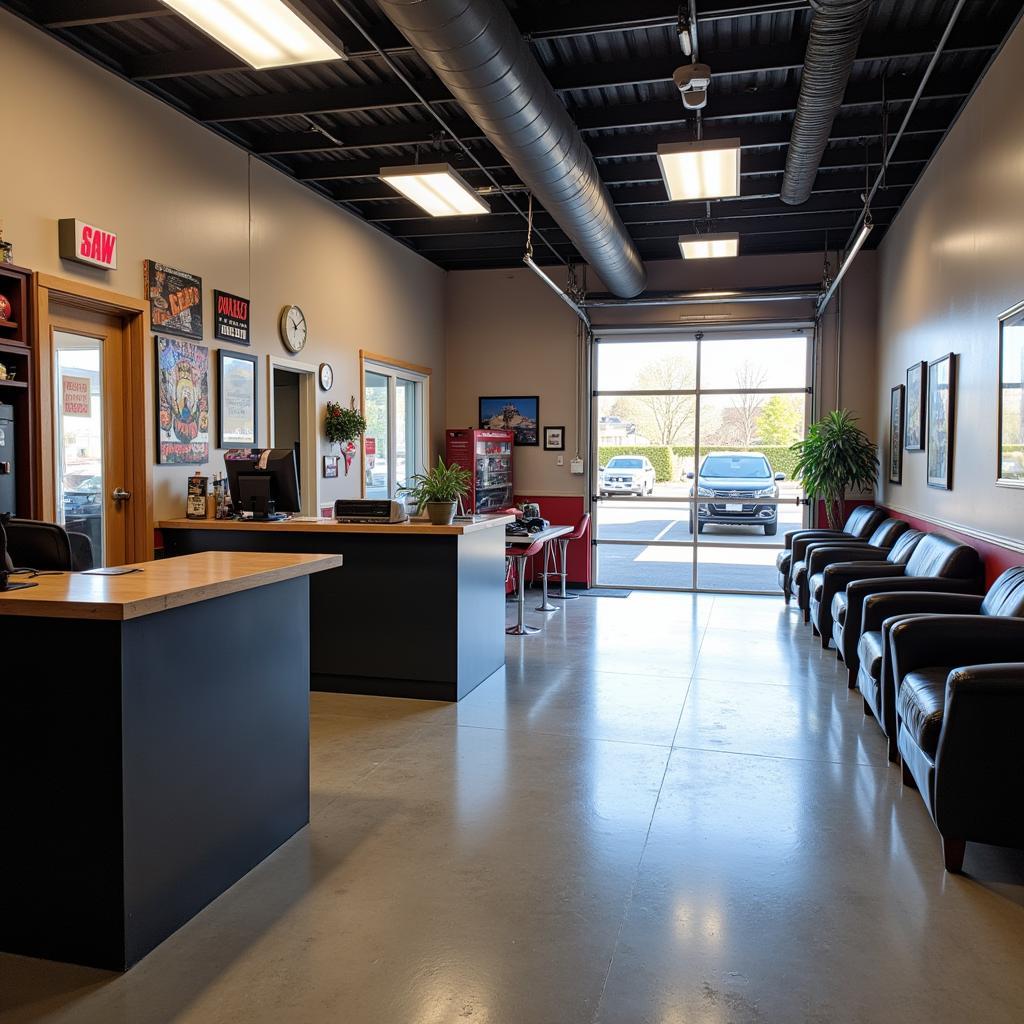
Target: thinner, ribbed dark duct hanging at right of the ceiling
<point>836,31</point>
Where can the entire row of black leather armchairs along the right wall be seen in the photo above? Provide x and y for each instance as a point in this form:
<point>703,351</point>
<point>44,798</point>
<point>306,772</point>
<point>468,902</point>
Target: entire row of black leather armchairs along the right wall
<point>938,662</point>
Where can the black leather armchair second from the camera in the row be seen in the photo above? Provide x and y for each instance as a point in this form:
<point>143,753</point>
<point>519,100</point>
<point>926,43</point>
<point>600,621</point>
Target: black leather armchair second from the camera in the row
<point>882,612</point>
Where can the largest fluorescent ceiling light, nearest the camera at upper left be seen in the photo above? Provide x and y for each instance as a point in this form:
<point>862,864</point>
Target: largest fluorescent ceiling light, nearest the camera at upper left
<point>264,33</point>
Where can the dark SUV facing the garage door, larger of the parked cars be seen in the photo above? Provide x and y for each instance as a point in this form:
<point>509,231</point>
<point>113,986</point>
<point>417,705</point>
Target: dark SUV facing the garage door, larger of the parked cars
<point>736,481</point>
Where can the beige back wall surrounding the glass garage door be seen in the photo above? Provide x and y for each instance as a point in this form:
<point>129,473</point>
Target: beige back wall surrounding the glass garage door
<point>509,334</point>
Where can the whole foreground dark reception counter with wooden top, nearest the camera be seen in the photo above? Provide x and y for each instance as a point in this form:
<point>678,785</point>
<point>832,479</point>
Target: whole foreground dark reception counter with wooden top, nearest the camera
<point>154,746</point>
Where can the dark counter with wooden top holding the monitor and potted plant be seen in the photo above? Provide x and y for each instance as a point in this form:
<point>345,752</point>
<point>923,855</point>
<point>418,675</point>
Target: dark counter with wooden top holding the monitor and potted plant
<point>418,611</point>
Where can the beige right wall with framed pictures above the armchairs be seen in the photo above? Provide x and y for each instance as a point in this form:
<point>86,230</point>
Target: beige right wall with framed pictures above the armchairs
<point>951,265</point>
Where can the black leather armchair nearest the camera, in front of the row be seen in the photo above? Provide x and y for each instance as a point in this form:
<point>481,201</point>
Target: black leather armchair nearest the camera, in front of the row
<point>959,726</point>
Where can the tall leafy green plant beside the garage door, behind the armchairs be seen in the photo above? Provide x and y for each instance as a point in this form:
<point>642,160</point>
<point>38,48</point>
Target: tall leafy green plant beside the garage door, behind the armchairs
<point>836,457</point>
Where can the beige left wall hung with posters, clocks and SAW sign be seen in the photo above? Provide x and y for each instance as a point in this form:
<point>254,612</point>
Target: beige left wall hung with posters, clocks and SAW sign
<point>104,152</point>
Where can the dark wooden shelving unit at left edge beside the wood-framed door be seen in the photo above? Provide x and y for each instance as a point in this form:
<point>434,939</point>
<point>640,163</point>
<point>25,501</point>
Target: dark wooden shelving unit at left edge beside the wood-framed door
<point>17,355</point>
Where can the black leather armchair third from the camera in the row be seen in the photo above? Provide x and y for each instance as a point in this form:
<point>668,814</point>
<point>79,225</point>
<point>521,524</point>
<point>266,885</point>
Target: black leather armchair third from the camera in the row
<point>937,564</point>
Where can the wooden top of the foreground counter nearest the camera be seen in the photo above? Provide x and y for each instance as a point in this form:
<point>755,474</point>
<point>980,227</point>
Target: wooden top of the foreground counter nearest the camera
<point>169,583</point>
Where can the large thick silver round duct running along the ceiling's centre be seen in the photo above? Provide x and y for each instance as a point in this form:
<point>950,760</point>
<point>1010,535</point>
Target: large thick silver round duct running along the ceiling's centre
<point>477,51</point>
